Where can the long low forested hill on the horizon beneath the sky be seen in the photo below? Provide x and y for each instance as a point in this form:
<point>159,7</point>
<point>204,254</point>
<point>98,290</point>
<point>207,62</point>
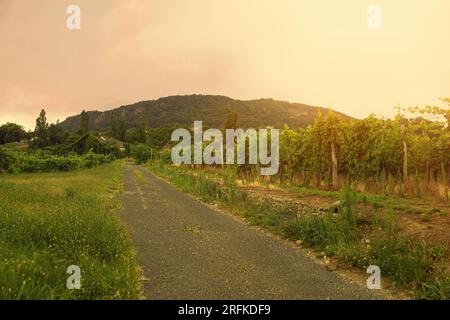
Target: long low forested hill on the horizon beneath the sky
<point>183,110</point>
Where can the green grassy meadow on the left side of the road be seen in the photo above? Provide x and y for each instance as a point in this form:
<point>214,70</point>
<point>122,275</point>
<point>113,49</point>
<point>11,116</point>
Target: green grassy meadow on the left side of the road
<point>49,221</point>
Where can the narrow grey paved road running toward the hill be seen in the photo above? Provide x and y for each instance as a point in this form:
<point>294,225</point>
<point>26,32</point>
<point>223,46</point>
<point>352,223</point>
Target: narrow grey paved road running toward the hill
<point>190,251</point>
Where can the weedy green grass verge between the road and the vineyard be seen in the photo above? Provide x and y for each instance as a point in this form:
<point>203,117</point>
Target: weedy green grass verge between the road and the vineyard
<point>350,236</point>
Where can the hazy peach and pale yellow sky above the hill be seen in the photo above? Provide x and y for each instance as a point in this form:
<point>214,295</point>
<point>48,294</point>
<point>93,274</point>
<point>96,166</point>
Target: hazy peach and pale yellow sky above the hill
<point>318,52</point>
